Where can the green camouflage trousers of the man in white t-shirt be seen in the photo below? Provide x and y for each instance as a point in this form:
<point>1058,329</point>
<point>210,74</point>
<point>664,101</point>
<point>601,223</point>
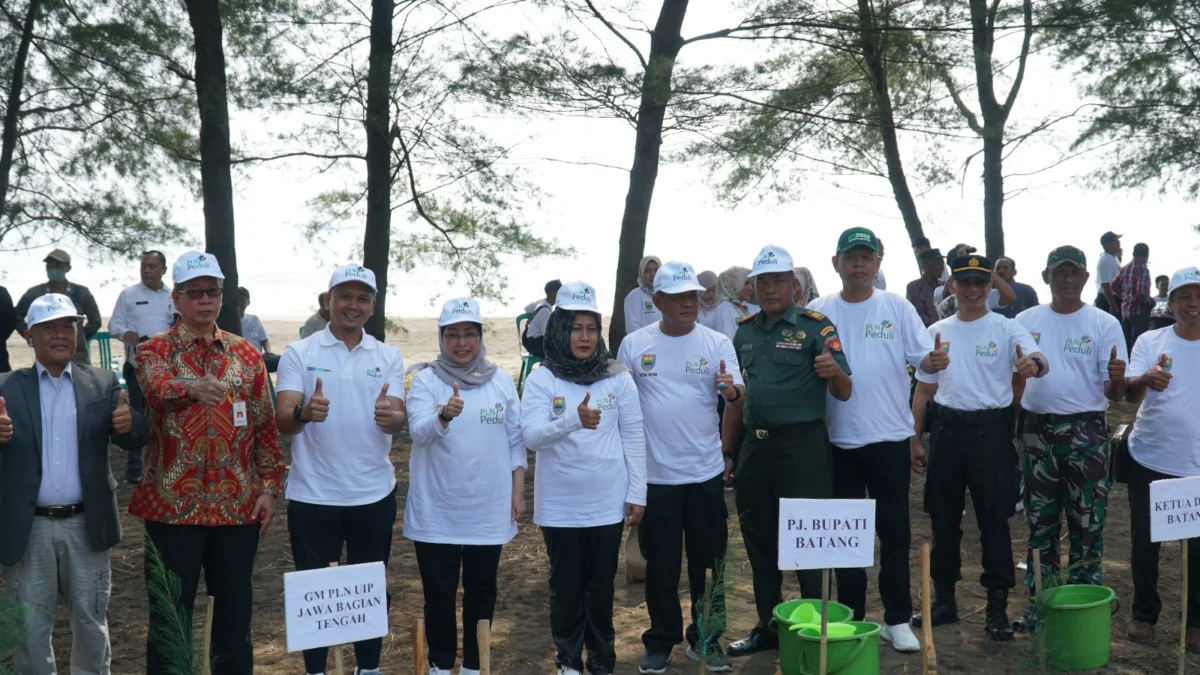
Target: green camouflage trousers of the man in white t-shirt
<point>1065,465</point>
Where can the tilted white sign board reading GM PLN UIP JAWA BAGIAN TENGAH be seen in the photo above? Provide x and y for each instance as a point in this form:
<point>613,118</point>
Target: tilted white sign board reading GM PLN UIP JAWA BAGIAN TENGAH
<point>335,606</point>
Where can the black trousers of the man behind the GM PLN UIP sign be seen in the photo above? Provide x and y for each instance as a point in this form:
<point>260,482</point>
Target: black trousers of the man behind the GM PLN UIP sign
<point>319,533</point>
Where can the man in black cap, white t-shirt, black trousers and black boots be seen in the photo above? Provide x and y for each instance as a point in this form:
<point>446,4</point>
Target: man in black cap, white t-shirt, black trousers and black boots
<point>971,441</point>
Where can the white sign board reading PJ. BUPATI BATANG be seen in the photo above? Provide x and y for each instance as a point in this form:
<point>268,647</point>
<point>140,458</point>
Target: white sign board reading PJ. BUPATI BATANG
<point>826,534</point>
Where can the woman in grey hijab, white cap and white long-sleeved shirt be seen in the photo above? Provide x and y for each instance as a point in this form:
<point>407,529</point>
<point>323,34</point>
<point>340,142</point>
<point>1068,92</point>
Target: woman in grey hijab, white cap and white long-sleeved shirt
<point>466,481</point>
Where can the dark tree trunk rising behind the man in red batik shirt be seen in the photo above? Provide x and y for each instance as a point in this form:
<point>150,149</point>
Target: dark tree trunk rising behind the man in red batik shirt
<point>217,183</point>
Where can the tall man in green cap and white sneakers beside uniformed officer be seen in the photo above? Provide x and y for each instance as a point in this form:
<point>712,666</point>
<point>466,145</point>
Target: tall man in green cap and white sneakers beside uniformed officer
<point>881,334</point>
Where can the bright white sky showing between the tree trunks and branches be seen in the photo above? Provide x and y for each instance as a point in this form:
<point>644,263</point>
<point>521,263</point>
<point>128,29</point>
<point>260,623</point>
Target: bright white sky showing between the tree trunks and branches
<point>583,207</point>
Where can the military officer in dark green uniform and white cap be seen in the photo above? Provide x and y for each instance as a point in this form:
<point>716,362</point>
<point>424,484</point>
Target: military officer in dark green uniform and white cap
<point>790,359</point>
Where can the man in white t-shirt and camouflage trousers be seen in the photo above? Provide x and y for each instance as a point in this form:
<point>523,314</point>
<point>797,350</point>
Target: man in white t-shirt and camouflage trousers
<point>1063,425</point>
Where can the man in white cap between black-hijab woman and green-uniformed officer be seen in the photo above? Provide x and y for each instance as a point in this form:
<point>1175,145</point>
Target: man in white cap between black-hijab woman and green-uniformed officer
<point>681,368</point>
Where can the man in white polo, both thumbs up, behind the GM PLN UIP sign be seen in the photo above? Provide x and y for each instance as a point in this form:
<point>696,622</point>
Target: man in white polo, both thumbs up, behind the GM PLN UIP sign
<point>339,396</point>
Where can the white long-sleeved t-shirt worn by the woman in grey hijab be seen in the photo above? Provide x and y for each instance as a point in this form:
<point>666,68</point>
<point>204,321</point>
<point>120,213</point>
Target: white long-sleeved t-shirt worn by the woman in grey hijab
<point>460,487</point>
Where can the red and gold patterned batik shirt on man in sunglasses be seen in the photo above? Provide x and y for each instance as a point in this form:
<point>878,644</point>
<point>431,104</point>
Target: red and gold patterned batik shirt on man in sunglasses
<point>201,469</point>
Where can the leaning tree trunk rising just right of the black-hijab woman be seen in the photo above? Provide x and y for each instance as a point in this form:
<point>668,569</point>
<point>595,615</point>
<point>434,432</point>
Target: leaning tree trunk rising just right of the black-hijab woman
<point>665,45</point>
